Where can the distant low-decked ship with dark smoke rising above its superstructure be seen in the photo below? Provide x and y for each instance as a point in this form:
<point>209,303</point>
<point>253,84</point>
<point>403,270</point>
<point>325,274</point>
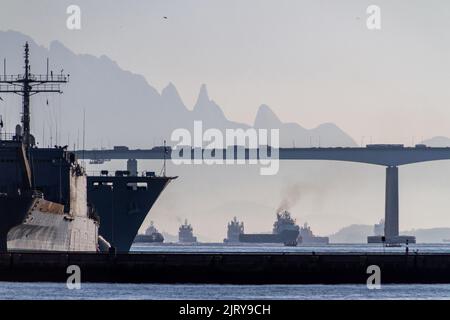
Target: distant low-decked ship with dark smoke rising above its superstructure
<point>284,231</point>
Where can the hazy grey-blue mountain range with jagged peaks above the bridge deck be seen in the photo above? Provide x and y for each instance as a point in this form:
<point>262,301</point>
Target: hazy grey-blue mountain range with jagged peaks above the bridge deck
<point>122,108</point>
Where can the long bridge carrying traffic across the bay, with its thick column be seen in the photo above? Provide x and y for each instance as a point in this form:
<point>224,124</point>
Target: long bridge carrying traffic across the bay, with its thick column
<point>389,155</point>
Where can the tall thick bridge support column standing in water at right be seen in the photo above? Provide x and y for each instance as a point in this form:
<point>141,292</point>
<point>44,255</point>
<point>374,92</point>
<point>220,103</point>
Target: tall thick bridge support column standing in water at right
<point>391,228</point>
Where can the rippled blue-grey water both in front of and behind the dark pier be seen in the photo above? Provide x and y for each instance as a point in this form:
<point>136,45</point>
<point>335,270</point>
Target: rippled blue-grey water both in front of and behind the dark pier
<point>27,291</point>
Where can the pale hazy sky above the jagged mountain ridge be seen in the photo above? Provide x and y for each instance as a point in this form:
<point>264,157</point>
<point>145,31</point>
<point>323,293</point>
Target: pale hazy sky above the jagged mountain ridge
<point>310,61</point>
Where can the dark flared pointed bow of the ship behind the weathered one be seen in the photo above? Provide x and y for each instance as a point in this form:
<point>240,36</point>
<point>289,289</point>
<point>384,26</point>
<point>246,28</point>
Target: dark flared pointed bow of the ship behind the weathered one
<point>122,203</point>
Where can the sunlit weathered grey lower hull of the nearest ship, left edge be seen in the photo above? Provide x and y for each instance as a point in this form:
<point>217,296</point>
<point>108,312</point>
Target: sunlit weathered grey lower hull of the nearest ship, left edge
<point>33,224</point>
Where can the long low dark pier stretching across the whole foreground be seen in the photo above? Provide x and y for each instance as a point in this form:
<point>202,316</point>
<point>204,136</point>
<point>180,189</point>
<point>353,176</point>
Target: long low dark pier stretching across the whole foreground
<point>233,268</point>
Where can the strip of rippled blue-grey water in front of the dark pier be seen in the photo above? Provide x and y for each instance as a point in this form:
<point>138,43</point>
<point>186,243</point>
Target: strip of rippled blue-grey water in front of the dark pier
<point>154,291</point>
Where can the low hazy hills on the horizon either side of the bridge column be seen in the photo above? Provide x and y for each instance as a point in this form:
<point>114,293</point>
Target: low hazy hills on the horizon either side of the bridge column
<point>358,234</point>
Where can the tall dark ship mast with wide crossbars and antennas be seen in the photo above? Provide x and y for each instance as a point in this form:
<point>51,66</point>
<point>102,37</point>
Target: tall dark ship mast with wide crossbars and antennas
<point>27,85</point>
